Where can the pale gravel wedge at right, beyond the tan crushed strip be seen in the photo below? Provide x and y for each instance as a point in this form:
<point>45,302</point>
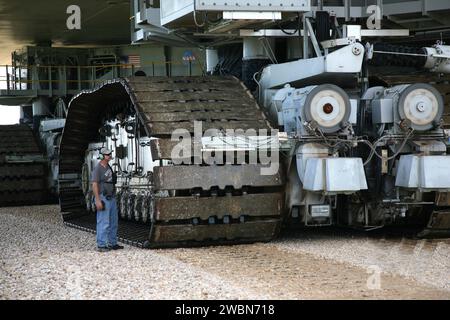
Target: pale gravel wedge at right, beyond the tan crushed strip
<point>425,261</point>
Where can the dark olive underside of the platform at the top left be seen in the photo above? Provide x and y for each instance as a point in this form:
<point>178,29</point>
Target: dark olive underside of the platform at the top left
<point>31,22</point>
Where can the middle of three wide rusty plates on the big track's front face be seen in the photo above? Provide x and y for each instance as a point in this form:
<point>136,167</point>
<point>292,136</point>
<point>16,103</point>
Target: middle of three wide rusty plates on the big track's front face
<point>257,205</point>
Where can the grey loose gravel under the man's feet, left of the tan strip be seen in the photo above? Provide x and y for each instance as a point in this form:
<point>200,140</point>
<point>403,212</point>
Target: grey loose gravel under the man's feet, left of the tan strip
<point>42,259</point>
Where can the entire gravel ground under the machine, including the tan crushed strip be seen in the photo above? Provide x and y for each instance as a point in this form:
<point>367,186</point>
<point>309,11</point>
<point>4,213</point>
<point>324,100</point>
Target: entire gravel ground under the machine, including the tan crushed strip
<point>42,259</point>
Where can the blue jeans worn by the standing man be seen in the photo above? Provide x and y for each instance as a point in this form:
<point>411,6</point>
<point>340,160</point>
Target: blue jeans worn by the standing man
<point>107,223</point>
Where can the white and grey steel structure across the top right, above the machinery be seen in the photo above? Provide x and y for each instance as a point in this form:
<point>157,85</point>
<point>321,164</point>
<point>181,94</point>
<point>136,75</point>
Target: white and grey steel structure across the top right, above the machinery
<point>198,21</point>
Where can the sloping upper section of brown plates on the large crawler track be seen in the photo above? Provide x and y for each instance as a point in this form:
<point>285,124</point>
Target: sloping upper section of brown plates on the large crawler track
<point>167,105</point>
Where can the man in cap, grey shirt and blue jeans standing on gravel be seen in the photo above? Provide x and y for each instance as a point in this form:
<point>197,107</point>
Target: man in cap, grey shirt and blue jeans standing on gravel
<point>103,186</point>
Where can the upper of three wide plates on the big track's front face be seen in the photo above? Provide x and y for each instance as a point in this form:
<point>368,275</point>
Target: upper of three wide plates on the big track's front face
<point>205,177</point>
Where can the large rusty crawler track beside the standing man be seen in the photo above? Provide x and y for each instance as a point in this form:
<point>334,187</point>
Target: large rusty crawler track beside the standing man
<point>235,204</point>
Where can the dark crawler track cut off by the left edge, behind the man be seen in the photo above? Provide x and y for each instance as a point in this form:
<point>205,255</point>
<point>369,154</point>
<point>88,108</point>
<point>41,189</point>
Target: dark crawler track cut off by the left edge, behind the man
<point>22,177</point>
